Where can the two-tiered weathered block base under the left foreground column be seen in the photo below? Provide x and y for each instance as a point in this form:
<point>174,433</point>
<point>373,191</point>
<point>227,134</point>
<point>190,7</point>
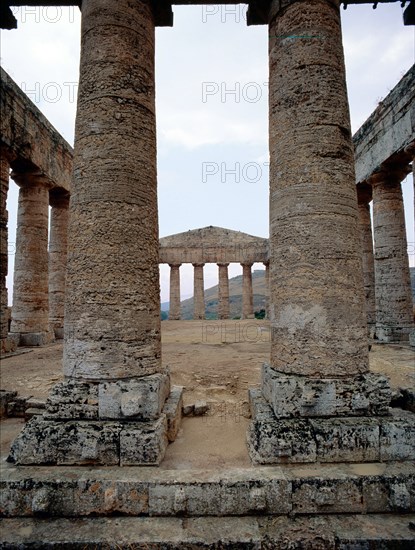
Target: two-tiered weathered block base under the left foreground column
<point>104,423</point>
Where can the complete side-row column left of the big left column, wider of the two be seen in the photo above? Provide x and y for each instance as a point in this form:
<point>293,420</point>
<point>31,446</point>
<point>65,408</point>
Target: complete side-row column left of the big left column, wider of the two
<point>30,310</point>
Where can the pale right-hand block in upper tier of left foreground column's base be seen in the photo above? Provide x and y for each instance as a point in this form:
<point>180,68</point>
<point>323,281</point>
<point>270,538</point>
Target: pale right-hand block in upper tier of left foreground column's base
<point>138,399</point>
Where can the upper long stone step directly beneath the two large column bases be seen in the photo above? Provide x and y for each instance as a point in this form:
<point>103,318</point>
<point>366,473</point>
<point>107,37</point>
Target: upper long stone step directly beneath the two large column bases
<point>318,489</point>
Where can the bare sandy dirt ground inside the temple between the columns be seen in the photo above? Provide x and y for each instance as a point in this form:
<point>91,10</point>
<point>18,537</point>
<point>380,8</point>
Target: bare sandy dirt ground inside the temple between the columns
<point>214,360</point>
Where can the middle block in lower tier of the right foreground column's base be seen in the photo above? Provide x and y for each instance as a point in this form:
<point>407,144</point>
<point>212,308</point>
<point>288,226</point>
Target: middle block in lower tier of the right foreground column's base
<point>346,439</point>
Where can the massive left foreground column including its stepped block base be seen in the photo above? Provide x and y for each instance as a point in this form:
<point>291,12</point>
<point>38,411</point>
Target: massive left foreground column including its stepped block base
<point>115,387</point>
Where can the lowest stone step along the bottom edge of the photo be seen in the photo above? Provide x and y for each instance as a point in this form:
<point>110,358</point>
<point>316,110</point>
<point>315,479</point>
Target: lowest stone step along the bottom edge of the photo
<point>225,533</point>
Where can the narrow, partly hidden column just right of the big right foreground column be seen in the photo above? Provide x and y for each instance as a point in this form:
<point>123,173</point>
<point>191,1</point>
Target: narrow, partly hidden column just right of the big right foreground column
<point>364,196</point>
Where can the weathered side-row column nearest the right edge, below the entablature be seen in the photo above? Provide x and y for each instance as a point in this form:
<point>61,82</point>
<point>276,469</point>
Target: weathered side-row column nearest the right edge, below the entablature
<point>394,310</point>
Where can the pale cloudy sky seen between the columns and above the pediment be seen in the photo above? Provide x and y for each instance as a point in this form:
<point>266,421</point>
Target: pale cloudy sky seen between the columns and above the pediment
<point>212,118</point>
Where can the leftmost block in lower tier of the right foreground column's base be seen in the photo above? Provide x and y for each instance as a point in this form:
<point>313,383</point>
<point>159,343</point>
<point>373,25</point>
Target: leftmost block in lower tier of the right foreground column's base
<point>272,441</point>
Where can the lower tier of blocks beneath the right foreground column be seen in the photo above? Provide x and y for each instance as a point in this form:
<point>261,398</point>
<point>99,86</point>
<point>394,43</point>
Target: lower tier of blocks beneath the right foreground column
<point>272,440</point>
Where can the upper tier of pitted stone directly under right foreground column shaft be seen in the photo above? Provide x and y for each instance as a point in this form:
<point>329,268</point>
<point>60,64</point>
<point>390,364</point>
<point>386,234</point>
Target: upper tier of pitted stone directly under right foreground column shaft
<point>300,396</point>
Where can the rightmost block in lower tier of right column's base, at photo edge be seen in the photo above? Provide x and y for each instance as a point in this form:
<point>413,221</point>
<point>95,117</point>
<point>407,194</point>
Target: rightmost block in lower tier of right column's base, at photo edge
<point>397,436</point>
